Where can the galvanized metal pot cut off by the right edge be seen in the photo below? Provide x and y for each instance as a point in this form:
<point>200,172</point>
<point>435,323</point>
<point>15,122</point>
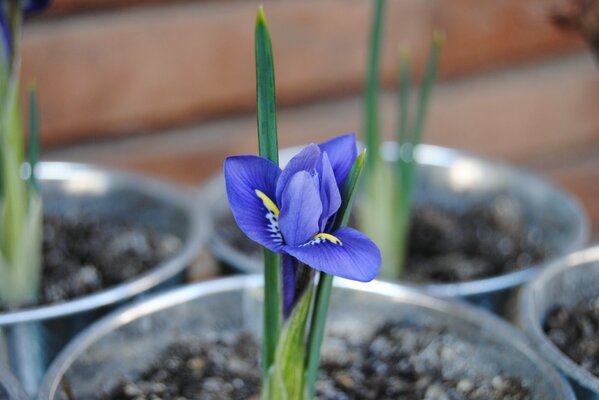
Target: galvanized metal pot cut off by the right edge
<point>565,282</point>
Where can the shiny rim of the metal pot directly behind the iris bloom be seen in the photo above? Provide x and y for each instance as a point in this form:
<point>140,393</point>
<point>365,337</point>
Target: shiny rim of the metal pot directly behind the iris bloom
<point>441,157</point>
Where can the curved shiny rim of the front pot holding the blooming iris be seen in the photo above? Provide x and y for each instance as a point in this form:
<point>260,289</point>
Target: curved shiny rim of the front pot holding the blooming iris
<point>397,293</point>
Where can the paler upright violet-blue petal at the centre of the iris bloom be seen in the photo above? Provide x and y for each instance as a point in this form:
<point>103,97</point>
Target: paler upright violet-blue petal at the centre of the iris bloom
<point>300,208</point>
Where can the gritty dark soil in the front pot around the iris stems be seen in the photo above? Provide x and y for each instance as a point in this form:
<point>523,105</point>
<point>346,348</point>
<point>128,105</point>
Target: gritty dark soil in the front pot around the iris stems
<point>395,362</point>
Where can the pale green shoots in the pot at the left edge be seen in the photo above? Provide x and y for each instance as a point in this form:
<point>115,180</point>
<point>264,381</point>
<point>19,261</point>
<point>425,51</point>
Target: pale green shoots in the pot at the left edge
<point>20,201</point>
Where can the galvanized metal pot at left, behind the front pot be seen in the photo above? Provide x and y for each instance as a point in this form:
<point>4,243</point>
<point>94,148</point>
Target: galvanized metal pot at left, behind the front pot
<point>30,339</point>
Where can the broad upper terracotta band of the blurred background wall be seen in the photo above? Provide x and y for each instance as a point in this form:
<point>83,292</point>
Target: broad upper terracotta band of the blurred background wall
<point>109,68</point>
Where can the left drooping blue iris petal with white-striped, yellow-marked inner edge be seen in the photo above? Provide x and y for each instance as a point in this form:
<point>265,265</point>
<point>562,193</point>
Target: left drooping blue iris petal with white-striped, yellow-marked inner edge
<point>244,176</point>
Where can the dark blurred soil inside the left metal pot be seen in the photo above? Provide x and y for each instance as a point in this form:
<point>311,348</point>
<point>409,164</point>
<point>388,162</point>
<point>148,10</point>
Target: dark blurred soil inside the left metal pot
<point>84,254</point>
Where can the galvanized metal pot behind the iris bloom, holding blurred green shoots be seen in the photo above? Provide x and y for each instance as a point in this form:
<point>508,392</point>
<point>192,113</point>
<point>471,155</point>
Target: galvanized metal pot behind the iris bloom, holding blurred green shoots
<point>460,181</point>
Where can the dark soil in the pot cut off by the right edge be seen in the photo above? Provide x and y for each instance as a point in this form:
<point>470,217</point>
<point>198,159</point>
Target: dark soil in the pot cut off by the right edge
<point>575,331</point>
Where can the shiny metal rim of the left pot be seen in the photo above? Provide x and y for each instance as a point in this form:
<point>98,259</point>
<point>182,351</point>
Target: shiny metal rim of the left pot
<point>177,195</point>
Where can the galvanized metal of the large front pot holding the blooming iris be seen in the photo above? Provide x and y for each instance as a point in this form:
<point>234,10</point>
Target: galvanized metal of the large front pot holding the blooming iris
<point>122,344</point>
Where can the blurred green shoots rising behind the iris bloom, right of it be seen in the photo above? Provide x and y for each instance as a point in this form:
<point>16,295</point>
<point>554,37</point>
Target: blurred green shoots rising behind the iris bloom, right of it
<point>386,210</point>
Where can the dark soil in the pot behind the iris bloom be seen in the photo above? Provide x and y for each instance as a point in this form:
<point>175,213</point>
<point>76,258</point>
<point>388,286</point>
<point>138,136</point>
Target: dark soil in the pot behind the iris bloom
<point>446,246</point>
